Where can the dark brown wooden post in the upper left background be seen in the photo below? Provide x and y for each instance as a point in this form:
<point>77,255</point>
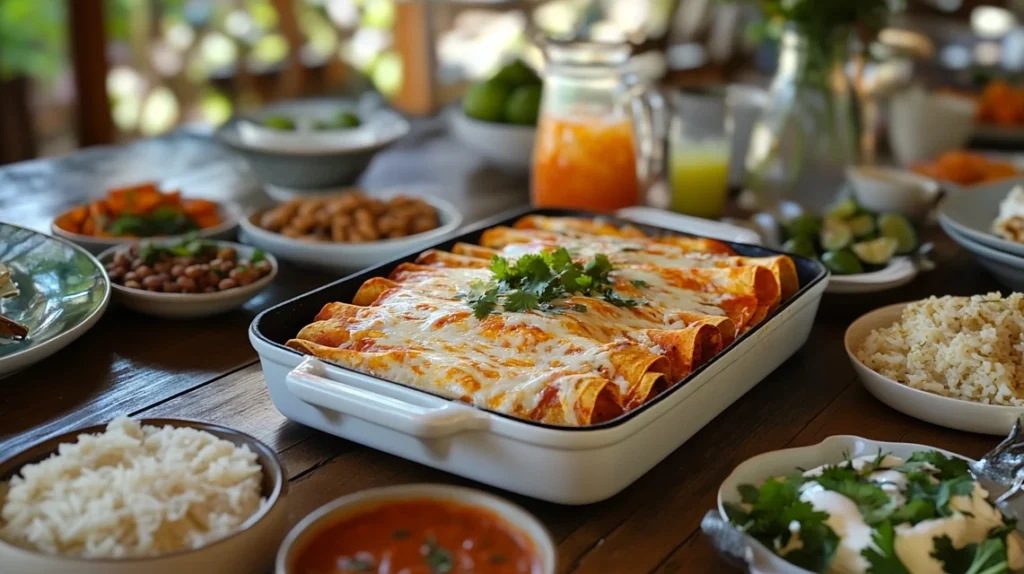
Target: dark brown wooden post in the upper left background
<point>89,52</point>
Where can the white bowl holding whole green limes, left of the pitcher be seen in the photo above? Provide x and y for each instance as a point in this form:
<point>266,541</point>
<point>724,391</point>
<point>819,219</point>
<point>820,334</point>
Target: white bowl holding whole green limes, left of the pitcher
<point>506,146</point>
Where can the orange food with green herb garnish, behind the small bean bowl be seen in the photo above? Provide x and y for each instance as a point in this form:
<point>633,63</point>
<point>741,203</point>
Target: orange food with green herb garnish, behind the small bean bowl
<point>141,211</point>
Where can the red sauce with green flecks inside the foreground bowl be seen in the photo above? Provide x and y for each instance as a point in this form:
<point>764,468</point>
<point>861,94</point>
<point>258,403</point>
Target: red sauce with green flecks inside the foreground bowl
<point>419,538</point>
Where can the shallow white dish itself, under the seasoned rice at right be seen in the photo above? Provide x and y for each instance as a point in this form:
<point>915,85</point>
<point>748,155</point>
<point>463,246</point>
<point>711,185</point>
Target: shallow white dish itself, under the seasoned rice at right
<point>945,412</point>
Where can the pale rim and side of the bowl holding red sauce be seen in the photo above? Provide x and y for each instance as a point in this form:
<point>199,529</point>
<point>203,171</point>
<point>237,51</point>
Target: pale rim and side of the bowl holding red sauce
<point>359,503</point>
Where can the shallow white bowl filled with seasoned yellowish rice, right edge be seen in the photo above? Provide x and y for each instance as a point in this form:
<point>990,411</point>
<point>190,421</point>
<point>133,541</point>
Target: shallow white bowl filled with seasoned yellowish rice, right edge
<point>954,362</point>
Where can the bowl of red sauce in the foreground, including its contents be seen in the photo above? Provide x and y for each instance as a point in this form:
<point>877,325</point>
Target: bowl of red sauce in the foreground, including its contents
<point>418,529</point>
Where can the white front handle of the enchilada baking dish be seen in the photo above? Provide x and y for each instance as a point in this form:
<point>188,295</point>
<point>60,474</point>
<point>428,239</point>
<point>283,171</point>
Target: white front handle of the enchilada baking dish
<point>312,383</point>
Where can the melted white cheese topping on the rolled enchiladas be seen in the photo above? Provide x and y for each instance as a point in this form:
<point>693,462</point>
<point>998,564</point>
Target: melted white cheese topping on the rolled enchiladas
<point>552,367</point>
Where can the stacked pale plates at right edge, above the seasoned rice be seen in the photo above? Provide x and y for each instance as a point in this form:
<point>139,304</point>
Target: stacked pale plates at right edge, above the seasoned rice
<point>968,218</point>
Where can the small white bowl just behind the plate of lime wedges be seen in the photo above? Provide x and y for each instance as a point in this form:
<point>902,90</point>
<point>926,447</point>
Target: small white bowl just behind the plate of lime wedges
<point>889,190</point>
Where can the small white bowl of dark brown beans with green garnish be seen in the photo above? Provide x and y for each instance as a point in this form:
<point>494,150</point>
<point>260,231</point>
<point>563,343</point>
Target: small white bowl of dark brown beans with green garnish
<point>187,279</point>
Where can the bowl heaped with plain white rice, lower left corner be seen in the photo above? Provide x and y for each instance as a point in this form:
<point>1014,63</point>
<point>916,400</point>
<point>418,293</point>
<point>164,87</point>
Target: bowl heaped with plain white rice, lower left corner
<point>143,496</point>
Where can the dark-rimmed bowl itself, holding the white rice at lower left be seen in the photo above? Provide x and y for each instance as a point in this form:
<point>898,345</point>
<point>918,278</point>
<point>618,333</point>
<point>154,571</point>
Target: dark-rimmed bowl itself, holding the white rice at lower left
<point>250,550</point>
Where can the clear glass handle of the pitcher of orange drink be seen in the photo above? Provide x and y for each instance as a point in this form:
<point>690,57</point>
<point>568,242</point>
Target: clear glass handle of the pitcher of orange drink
<point>651,127</point>
